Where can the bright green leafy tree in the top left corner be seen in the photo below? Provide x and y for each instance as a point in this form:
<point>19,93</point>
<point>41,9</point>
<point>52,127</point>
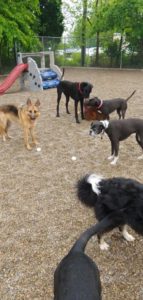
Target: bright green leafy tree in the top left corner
<point>18,21</point>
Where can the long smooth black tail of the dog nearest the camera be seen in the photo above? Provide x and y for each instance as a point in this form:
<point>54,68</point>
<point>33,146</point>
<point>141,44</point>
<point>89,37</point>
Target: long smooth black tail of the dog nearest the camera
<point>108,223</point>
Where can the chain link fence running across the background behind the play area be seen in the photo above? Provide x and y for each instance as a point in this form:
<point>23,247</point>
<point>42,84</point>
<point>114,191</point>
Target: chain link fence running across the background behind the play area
<point>110,53</point>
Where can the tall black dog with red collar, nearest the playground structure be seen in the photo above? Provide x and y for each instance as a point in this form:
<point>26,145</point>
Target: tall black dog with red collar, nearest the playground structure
<point>77,91</point>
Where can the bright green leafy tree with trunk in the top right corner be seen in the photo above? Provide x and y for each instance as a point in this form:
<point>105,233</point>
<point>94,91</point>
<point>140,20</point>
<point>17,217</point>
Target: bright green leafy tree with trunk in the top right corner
<point>126,17</point>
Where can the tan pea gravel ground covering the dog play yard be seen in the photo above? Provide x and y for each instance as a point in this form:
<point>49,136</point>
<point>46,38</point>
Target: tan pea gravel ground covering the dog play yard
<point>40,216</point>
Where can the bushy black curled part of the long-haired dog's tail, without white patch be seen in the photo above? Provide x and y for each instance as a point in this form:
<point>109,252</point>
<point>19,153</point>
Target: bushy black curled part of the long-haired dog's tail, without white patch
<point>85,193</point>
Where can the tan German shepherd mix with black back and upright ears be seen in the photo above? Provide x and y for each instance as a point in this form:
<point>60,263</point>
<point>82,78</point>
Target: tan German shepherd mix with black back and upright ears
<point>25,115</point>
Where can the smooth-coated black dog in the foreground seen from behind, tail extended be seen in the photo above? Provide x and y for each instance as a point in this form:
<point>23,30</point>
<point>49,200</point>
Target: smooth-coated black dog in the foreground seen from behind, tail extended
<point>77,276</point>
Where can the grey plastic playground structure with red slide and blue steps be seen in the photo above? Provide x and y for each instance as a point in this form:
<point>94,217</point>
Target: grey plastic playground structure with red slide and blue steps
<point>37,78</point>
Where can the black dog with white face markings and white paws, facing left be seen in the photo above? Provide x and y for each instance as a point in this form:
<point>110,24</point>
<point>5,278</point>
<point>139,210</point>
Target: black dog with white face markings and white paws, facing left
<point>118,130</point>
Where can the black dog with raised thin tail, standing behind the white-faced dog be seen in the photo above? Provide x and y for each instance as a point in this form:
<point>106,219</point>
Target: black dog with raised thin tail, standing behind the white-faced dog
<point>108,106</point>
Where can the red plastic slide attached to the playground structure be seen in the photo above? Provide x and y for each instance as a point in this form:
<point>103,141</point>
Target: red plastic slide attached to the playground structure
<point>13,75</point>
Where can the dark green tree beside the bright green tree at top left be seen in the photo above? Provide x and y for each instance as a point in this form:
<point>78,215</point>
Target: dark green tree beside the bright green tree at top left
<point>51,18</point>
